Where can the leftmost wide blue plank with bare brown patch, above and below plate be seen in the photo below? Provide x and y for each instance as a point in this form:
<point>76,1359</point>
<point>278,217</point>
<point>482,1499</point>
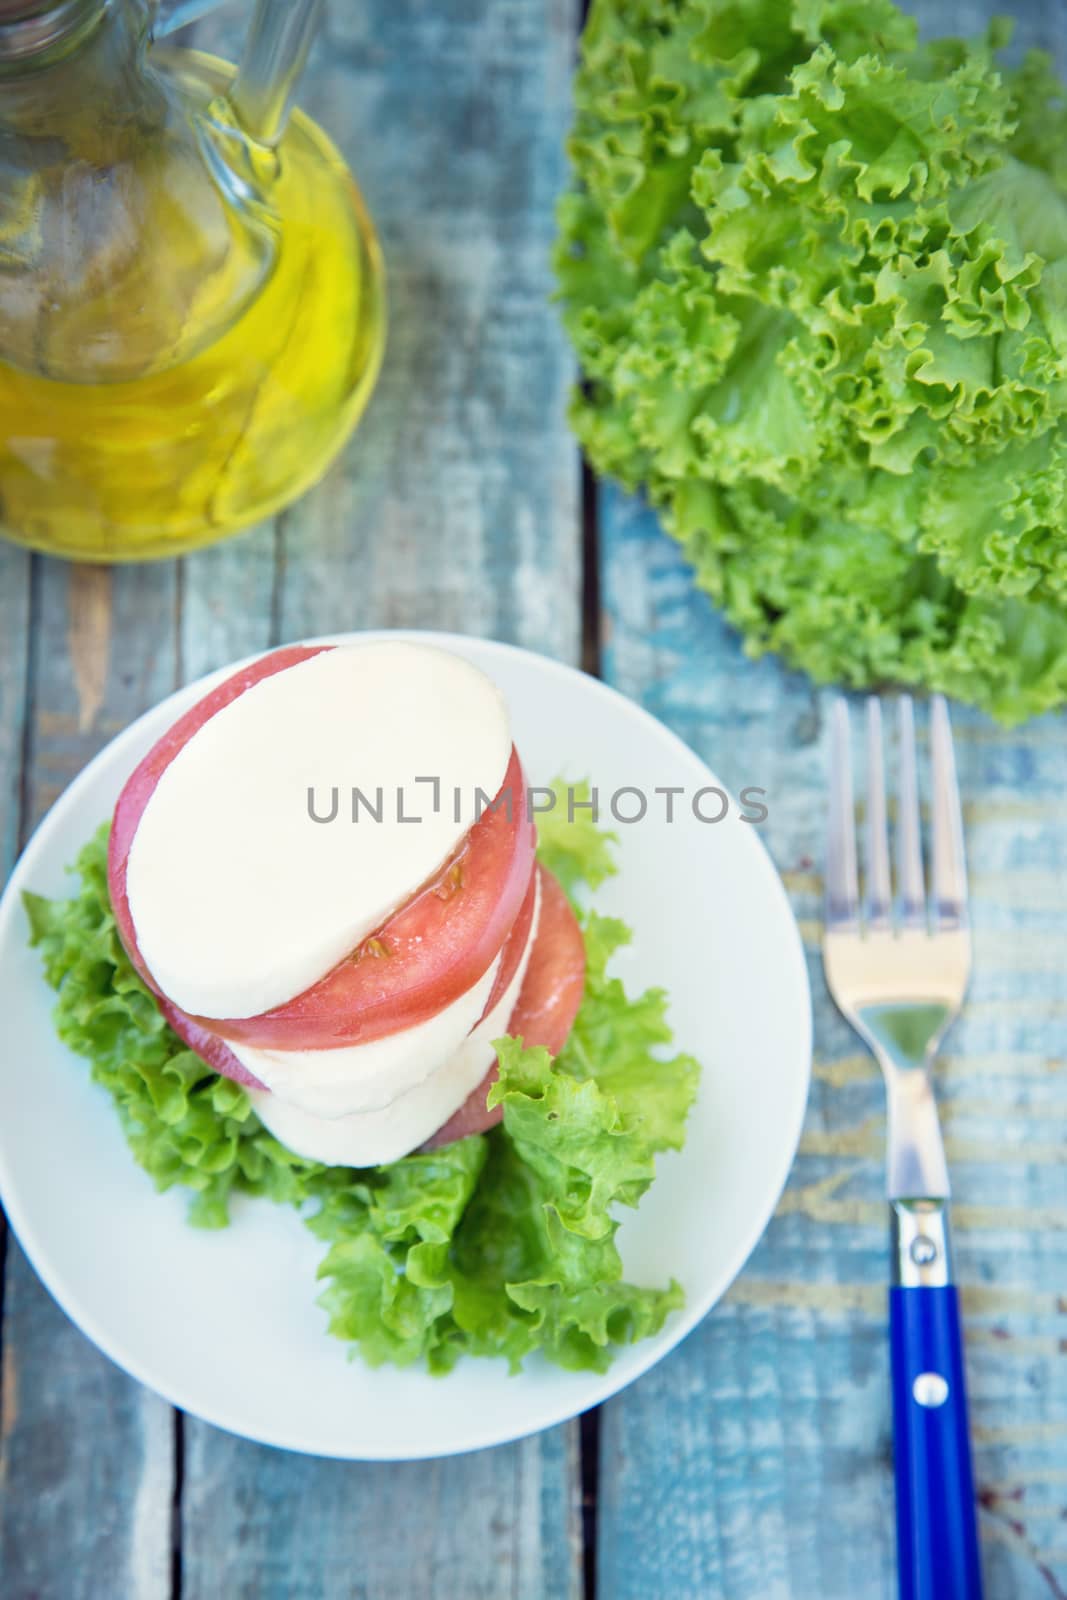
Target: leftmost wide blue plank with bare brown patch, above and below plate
<point>86,1454</point>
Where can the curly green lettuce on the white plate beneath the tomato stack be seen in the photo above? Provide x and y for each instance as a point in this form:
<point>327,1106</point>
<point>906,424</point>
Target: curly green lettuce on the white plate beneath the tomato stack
<point>500,1244</point>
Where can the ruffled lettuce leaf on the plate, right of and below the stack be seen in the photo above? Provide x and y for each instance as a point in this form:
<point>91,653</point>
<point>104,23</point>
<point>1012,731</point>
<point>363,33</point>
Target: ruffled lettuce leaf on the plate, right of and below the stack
<point>508,1241</point>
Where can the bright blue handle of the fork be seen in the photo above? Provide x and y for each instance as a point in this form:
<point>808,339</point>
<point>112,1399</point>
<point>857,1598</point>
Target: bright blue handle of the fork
<point>937,1519</point>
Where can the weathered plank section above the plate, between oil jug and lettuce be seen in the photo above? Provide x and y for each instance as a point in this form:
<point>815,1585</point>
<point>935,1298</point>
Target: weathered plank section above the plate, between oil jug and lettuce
<point>457,503</point>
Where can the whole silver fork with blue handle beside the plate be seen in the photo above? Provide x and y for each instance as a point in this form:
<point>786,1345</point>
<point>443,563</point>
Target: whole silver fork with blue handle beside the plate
<point>898,969</point>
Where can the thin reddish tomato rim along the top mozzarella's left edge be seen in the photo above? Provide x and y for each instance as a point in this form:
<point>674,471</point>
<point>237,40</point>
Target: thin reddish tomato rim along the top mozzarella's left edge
<point>145,778</point>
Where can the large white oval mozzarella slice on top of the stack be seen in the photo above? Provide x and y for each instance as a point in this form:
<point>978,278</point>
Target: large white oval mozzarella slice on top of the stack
<point>239,898</point>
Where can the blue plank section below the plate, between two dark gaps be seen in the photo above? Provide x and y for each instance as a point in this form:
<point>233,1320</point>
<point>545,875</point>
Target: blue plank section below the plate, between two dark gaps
<point>260,1526</point>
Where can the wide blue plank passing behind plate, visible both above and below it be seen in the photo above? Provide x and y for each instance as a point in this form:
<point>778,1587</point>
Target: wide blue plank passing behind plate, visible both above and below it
<point>454,506</point>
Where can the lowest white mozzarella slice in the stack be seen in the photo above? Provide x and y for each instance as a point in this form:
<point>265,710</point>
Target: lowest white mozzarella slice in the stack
<point>385,1135</point>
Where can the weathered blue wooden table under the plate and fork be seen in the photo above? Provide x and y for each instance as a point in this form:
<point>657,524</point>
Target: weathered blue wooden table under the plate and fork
<point>756,1460</point>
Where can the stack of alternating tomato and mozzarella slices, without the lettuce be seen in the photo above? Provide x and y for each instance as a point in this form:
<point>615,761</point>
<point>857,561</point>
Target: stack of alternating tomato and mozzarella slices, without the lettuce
<point>351,974</point>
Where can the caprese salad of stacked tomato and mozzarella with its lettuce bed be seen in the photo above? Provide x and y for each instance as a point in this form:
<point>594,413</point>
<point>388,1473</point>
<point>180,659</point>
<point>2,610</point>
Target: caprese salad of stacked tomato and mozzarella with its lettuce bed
<point>322,956</point>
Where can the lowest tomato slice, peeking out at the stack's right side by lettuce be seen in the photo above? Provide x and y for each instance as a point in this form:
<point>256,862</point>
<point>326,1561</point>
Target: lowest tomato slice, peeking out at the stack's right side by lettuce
<point>545,1012</point>
